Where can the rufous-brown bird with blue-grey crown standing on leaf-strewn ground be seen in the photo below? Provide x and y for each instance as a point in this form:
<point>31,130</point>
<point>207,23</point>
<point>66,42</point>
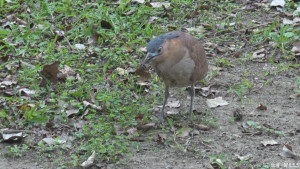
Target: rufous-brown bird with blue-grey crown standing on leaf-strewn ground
<point>179,60</point>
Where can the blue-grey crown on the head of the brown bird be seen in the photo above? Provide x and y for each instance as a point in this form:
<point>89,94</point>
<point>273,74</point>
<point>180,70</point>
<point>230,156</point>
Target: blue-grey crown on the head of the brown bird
<point>155,43</point>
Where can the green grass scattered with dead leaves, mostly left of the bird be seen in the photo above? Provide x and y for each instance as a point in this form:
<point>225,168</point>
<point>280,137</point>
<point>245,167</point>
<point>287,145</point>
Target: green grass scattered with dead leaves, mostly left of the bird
<point>118,39</point>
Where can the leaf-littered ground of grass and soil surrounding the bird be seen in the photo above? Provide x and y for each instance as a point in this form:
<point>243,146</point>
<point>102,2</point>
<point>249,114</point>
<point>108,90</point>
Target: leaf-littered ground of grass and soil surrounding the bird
<point>253,130</point>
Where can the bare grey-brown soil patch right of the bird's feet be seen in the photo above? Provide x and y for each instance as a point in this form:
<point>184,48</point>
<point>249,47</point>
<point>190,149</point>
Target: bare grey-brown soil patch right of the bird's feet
<point>230,138</point>
